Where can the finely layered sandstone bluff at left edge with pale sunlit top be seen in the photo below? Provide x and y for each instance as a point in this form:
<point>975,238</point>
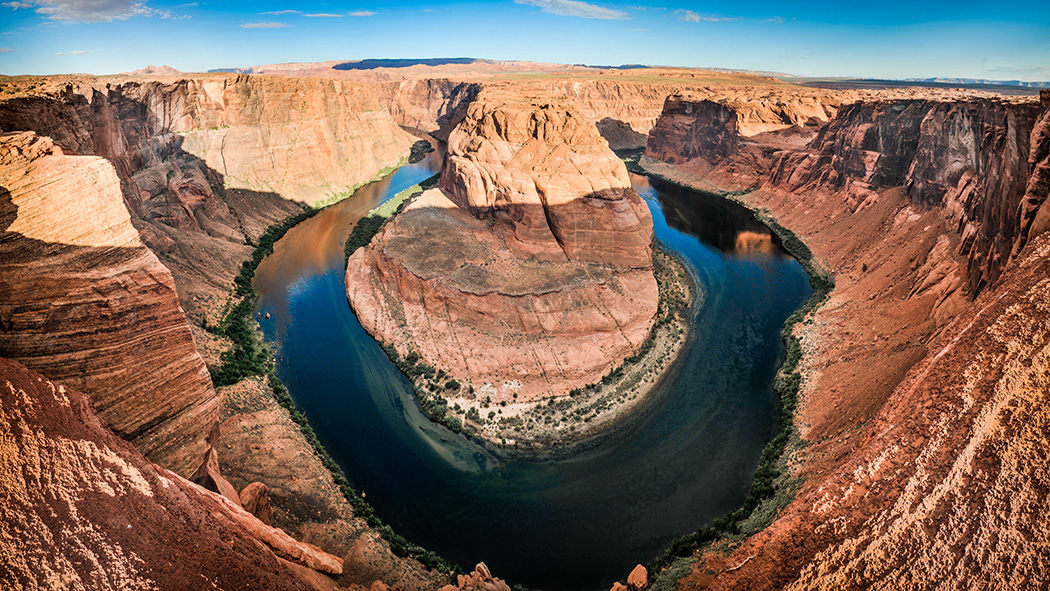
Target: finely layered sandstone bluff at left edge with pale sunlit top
<point>83,301</point>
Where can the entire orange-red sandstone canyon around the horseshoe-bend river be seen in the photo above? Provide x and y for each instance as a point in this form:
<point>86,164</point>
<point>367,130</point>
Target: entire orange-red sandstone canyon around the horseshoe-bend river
<point>925,376</point>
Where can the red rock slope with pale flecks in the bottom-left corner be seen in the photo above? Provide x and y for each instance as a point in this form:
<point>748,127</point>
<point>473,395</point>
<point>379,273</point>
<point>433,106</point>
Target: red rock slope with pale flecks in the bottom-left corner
<point>85,510</point>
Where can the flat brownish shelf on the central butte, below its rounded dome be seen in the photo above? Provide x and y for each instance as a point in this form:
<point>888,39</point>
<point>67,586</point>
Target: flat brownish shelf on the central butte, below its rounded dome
<point>432,238</point>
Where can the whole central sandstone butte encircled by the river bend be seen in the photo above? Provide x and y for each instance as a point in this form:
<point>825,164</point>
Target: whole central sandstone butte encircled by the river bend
<point>529,271</point>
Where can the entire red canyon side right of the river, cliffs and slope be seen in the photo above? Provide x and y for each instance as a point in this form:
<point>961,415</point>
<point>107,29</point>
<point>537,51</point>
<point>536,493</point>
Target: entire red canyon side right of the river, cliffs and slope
<point>925,412</point>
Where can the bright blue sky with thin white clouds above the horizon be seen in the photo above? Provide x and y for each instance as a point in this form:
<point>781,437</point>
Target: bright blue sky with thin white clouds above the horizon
<point>890,39</point>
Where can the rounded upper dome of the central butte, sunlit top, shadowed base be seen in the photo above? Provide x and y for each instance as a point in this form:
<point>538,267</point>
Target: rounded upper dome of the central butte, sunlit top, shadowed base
<point>547,173</point>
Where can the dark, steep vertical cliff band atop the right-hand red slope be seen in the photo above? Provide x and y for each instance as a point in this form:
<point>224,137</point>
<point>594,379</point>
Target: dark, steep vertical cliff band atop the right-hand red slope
<point>970,157</point>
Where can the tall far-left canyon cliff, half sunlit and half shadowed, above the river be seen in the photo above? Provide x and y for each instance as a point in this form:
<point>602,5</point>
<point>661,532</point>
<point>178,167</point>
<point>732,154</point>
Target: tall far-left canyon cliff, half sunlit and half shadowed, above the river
<point>206,164</point>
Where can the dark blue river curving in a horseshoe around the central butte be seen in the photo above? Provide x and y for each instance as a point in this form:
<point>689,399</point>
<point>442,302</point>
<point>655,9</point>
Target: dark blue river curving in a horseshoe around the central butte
<point>577,522</point>
